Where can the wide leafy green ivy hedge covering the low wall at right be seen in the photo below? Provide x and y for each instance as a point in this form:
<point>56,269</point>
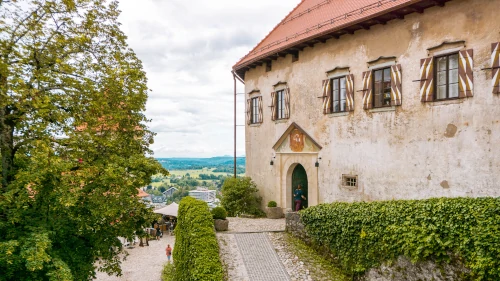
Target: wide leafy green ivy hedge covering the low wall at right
<point>363,235</point>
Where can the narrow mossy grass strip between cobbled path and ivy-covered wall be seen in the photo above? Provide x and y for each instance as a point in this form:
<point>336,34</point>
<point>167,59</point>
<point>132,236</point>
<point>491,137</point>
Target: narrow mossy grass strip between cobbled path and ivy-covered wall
<point>320,268</point>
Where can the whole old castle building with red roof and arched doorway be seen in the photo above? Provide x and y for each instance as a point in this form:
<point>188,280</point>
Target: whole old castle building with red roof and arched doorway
<point>363,100</point>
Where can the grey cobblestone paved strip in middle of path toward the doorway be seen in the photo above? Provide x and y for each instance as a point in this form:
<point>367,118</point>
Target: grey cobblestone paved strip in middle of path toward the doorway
<point>261,261</point>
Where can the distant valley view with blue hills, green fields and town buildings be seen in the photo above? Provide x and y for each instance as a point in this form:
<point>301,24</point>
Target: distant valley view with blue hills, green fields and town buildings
<point>198,177</point>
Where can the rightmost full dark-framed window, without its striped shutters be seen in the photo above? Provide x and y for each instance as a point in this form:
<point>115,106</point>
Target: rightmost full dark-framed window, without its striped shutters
<point>446,77</point>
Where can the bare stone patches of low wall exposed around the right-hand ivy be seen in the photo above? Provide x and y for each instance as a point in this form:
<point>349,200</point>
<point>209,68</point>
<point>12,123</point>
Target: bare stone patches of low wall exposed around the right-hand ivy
<point>401,270</point>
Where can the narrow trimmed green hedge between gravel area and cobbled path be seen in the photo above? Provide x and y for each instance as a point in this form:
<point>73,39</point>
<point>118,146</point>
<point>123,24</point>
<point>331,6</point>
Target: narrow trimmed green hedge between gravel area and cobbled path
<point>196,252</point>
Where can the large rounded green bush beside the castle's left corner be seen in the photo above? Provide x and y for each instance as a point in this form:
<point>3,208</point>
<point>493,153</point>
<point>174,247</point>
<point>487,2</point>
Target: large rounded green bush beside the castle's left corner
<point>239,197</point>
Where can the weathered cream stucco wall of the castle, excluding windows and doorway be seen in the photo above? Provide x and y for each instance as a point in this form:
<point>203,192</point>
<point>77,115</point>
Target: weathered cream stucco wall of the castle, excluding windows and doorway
<point>401,154</point>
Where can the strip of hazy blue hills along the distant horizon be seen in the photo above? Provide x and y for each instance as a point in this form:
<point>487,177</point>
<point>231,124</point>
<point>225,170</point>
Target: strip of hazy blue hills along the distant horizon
<point>221,164</point>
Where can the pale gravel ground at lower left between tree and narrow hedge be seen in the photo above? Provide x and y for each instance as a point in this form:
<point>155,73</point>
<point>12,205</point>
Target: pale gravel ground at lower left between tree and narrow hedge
<point>143,263</point>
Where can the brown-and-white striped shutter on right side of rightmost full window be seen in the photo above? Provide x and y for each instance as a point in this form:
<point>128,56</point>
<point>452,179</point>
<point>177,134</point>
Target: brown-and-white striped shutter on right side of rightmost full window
<point>465,74</point>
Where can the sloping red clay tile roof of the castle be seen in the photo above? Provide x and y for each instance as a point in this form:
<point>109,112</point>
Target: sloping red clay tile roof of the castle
<point>312,18</point>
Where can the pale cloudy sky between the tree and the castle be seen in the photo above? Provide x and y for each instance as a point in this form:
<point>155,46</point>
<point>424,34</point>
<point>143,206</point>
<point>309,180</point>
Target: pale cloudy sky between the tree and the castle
<point>188,49</point>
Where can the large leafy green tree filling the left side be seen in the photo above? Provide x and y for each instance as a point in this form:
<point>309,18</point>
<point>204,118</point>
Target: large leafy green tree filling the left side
<point>73,139</point>
